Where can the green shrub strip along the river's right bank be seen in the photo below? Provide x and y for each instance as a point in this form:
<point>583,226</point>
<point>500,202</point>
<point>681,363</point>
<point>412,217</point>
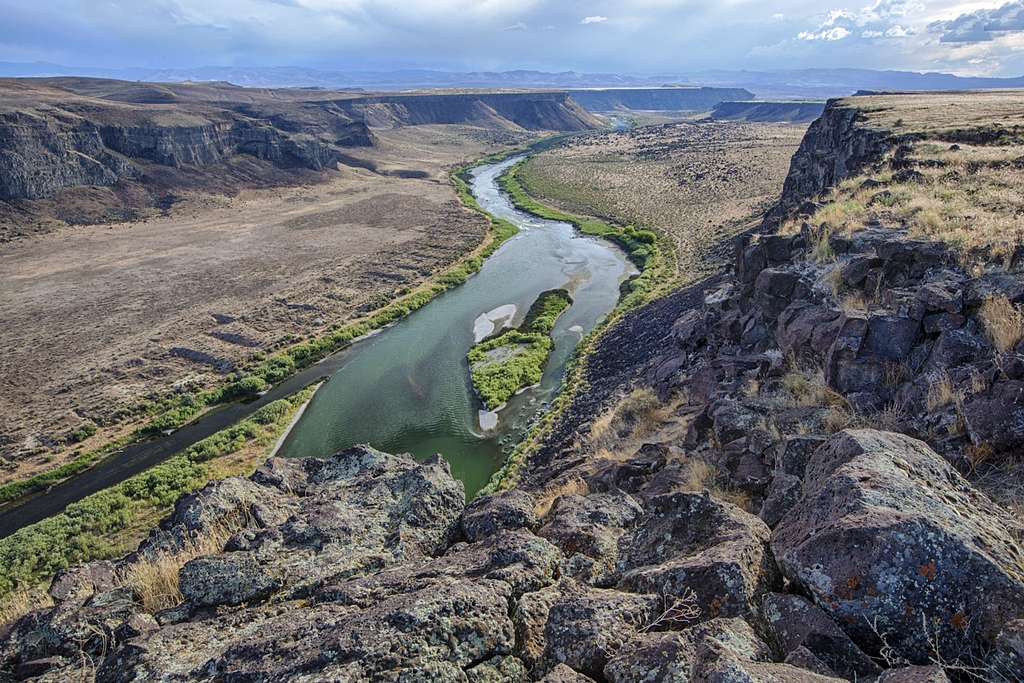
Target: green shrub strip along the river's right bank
<point>657,279</point>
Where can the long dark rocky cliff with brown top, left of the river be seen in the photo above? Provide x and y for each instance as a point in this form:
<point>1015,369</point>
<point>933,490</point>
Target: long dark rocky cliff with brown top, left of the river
<point>64,134</point>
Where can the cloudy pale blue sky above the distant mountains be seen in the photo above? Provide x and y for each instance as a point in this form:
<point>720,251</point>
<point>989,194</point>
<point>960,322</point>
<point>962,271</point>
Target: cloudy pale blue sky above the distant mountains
<point>973,37</point>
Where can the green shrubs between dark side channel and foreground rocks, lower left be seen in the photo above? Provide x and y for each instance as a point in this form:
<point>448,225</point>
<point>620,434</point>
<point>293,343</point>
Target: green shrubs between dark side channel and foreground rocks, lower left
<point>108,524</point>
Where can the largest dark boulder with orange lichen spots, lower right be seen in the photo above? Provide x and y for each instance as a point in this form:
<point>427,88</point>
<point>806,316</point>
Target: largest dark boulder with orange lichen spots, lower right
<point>888,534</point>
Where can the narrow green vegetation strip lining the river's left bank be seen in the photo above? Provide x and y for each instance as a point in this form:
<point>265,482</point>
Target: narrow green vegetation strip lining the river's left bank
<point>174,412</point>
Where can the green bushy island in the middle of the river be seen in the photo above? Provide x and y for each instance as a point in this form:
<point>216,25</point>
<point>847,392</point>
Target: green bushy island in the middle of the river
<point>504,365</point>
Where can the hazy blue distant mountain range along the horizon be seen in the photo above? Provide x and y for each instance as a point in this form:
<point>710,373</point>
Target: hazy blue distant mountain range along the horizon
<point>804,83</point>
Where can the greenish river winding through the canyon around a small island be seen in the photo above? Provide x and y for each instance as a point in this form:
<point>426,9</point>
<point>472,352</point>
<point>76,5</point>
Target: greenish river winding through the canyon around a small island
<point>408,390</point>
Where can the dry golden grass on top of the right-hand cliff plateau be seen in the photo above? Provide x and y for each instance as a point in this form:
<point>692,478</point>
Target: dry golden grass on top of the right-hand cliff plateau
<point>968,195</point>
